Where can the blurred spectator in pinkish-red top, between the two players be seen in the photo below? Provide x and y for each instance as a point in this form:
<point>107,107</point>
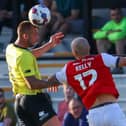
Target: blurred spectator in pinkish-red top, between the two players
<point>63,105</point>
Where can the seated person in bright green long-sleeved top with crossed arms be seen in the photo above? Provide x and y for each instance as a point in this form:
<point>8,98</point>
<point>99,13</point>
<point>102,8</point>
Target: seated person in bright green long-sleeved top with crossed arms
<point>112,33</point>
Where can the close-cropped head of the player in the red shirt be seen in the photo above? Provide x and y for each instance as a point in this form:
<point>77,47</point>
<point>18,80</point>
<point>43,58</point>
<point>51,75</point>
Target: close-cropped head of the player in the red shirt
<point>80,47</point>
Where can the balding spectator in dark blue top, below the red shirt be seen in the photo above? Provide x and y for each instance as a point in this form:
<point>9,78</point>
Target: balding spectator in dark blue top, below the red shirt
<point>76,115</point>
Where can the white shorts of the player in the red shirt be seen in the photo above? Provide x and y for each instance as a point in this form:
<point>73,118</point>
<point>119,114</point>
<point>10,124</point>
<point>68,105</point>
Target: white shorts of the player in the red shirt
<point>107,115</point>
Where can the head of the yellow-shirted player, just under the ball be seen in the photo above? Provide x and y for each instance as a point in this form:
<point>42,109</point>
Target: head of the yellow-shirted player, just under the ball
<point>27,33</point>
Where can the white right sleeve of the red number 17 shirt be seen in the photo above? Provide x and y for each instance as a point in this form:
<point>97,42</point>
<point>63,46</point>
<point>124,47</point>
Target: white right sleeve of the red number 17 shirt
<point>109,60</point>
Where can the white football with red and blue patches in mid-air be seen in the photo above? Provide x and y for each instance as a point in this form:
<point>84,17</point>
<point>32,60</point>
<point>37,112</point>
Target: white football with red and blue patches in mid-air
<point>39,15</point>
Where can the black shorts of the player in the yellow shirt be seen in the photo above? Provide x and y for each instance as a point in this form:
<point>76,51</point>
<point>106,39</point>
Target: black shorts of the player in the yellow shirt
<point>33,110</point>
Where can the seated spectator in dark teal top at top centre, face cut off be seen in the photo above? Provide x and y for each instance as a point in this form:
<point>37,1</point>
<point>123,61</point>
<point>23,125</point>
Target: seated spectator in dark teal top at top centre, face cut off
<point>67,13</point>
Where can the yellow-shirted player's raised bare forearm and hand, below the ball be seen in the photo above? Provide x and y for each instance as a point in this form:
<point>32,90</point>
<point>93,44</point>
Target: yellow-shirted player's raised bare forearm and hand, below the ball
<point>54,40</point>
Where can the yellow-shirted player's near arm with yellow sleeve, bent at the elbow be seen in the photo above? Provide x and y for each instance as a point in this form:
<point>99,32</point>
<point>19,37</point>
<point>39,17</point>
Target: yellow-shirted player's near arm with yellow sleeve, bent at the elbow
<point>28,72</point>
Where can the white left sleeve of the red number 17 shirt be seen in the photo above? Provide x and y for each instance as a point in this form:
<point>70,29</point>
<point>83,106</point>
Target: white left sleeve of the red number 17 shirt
<point>61,75</point>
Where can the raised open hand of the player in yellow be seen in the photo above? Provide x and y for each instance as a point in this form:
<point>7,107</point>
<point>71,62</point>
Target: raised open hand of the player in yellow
<point>56,38</point>
